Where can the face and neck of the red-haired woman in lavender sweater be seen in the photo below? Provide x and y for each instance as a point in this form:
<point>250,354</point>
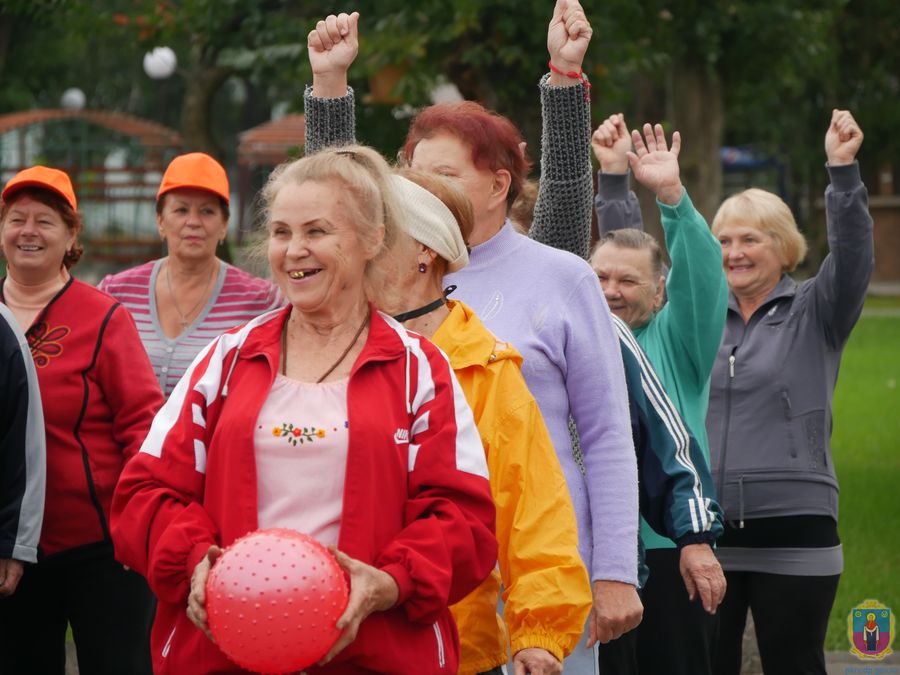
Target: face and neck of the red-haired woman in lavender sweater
<point>446,155</point>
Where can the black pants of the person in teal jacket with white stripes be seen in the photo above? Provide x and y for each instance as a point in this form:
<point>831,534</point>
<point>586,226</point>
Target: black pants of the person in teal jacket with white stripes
<point>675,637</point>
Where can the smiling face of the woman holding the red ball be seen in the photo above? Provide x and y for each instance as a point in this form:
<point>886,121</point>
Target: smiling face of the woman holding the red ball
<point>314,250</point>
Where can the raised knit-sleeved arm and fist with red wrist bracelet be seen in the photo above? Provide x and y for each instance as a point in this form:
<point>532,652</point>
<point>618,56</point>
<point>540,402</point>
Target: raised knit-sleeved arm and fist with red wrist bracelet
<point>562,213</point>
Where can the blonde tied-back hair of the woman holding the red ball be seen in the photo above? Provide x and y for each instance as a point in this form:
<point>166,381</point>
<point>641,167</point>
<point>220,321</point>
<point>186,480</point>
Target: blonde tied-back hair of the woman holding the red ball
<point>363,172</point>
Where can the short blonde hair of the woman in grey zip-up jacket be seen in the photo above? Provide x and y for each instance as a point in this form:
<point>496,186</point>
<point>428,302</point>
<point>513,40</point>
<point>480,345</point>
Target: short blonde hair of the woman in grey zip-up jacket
<point>768,213</point>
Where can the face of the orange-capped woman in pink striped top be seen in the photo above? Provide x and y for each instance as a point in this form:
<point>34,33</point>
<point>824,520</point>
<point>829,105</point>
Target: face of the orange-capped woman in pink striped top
<point>192,223</point>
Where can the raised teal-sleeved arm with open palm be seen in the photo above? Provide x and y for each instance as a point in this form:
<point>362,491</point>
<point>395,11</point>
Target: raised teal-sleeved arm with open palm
<point>694,316</point>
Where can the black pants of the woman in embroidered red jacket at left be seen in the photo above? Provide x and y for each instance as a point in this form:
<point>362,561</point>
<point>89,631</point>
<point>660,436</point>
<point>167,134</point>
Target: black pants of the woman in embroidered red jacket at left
<point>110,610</point>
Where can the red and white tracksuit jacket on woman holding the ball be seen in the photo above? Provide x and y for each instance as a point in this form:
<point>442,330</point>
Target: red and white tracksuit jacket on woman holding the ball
<point>417,502</point>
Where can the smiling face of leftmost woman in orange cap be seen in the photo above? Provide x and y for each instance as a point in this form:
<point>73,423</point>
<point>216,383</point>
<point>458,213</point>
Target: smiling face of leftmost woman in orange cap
<point>34,239</point>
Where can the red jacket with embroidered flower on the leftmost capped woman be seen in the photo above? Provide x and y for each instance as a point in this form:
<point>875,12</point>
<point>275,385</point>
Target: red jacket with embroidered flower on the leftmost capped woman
<point>99,397</point>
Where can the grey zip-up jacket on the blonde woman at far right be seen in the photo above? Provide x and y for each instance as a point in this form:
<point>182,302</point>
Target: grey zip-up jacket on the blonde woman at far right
<point>771,388</point>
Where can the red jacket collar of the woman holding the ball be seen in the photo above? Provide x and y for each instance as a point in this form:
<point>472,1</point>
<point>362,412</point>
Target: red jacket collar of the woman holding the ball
<point>382,343</point>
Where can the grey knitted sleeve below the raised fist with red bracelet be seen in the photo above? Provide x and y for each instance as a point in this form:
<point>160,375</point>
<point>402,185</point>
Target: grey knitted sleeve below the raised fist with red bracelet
<point>562,213</point>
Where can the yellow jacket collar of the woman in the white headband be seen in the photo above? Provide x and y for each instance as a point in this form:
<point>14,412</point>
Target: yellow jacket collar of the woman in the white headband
<point>467,341</point>
